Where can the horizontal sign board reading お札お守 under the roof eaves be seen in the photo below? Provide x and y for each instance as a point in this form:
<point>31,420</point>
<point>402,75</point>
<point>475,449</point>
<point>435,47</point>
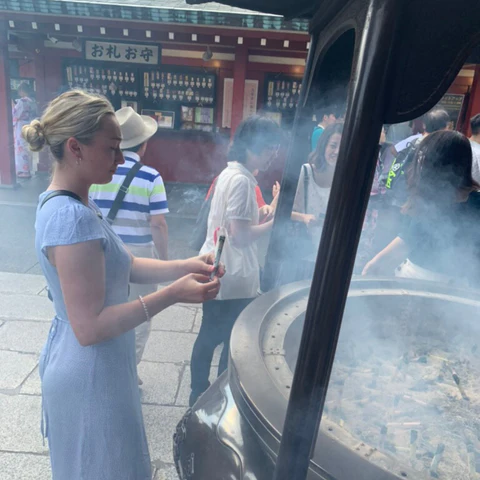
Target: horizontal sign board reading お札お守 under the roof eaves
<point>144,54</point>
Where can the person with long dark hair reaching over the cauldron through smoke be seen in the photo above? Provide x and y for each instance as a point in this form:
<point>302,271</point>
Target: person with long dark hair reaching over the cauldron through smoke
<point>440,242</point>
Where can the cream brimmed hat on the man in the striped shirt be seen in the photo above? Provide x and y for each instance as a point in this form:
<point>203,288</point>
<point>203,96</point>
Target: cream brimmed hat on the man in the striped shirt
<point>136,129</point>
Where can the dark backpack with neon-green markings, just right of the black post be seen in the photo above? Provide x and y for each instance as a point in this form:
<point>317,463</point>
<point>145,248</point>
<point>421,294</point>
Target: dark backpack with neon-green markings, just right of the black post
<point>395,182</point>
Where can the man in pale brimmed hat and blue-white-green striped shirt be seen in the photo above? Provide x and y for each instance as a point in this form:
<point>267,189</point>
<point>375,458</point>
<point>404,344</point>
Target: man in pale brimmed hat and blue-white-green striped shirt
<point>135,203</point>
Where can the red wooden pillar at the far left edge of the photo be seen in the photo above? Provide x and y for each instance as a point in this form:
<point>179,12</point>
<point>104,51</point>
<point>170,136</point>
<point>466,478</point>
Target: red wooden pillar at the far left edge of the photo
<point>7,159</point>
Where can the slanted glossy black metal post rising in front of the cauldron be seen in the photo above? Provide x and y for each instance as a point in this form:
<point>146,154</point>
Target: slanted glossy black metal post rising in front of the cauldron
<point>341,233</point>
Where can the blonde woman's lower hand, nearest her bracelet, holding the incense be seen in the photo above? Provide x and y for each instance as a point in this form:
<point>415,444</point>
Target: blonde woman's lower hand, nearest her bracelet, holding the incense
<point>194,288</point>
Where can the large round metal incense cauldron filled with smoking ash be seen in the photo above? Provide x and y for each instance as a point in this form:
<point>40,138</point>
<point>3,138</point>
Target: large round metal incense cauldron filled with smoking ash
<point>403,401</point>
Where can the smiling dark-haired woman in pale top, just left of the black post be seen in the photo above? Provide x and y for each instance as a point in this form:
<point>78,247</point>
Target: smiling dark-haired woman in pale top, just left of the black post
<point>311,203</point>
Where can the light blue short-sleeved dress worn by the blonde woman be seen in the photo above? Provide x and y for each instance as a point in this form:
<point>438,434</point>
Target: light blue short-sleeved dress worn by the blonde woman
<point>92,414</point>
